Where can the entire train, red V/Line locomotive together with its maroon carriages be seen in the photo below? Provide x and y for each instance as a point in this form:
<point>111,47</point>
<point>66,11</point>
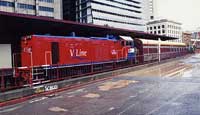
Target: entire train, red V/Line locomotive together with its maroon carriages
<point>57,57</point>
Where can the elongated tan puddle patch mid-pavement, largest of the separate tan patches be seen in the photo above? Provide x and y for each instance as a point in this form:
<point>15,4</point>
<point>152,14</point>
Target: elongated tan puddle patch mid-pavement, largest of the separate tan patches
<point>115,85</point>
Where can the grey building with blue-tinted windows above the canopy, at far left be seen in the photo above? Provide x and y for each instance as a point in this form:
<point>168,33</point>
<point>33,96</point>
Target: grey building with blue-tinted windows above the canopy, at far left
<point>46,8</point>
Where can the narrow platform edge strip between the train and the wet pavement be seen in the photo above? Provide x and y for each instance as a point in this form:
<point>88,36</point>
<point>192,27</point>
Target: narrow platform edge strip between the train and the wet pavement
<point>37,90</point>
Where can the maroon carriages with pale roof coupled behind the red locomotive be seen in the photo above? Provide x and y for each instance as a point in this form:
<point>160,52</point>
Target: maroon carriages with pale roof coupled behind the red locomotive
<point>148,50</point>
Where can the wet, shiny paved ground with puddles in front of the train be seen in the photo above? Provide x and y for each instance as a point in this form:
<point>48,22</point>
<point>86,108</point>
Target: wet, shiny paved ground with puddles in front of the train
<point>172,88</point>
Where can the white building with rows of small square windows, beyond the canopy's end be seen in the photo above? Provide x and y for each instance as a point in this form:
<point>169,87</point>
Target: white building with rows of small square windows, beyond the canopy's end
<point>165,27</point>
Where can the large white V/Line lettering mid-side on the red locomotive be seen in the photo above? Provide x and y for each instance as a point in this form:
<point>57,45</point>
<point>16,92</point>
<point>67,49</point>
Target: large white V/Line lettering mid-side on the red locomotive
<point>77,53</point>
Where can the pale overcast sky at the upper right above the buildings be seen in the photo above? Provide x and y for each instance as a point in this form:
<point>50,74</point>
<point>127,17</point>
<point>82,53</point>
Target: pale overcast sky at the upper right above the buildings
<point>184,11</point>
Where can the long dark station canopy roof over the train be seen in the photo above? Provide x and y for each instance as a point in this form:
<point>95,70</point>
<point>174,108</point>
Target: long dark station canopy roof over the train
<point>13,26</point>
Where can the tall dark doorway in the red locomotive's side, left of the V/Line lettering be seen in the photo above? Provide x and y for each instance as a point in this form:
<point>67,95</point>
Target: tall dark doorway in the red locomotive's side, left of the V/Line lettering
<point>55,52</point>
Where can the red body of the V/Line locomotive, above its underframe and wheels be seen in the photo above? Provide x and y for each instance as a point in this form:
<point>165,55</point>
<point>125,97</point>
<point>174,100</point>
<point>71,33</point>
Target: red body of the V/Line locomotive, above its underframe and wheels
<point>38,50</point>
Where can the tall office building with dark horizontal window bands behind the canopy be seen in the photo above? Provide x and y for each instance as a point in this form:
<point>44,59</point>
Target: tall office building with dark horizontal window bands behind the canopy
<point>126,14</point>
